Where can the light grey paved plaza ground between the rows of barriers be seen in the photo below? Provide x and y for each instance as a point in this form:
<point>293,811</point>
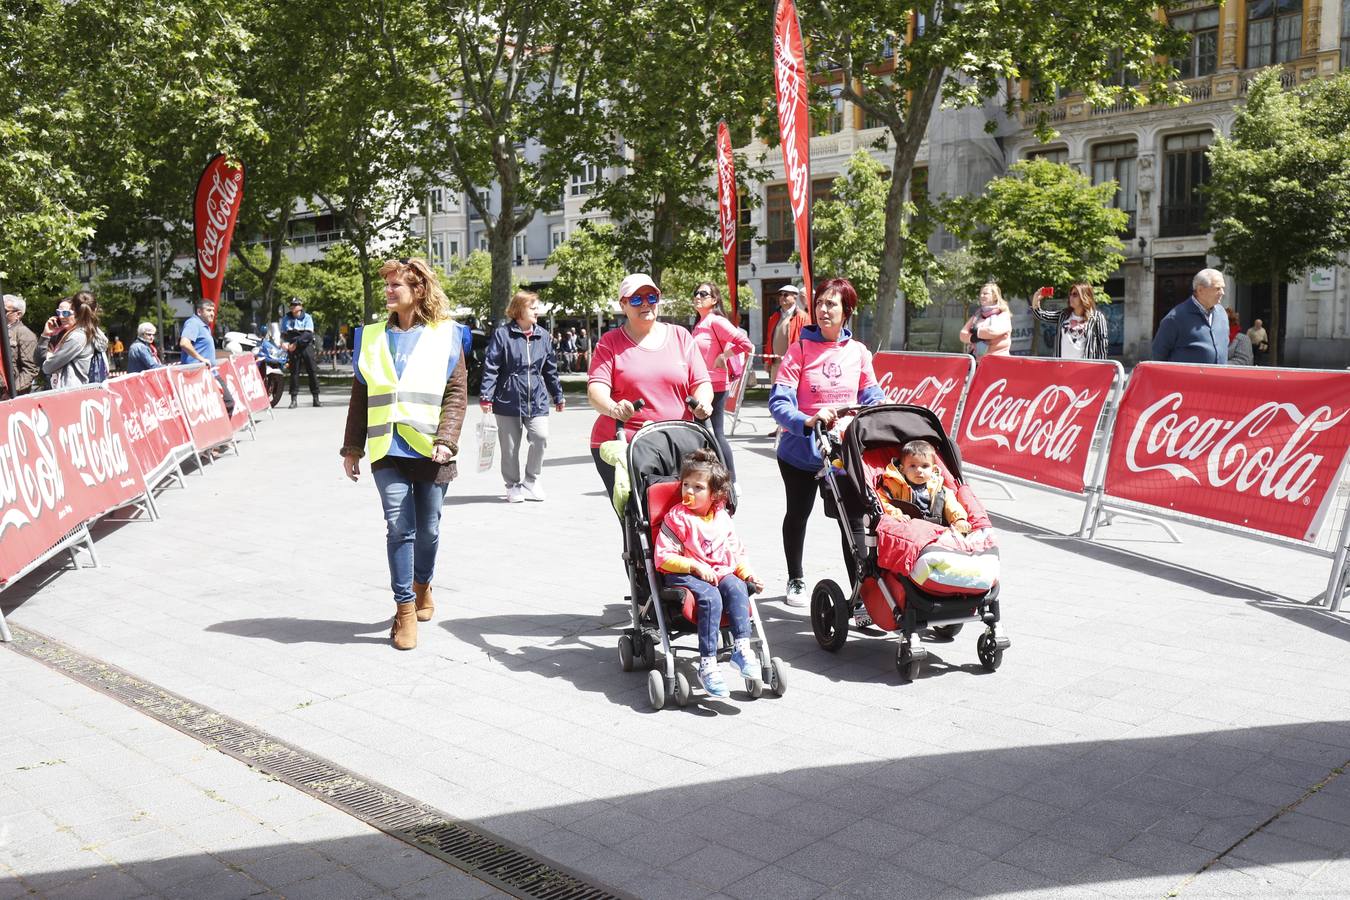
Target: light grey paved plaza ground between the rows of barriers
<point>1170,721</point>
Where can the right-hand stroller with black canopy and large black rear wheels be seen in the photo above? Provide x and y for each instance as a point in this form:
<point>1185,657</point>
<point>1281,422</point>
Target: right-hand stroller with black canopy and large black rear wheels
<point>927,577</point>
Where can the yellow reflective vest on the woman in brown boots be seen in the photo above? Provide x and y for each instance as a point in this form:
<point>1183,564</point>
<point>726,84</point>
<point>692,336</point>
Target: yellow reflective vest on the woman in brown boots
<point>410,403</point>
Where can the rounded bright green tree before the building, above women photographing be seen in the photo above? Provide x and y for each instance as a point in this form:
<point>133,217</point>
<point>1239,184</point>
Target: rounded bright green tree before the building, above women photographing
<point>1040,225</point>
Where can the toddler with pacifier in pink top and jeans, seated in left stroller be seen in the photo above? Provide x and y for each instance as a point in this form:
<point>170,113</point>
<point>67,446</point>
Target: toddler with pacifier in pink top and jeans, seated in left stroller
<point>699,550</point>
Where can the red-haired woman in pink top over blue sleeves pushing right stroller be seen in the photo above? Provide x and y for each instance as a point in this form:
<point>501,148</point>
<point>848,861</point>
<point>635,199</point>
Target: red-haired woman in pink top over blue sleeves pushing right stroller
<point>824,372</point>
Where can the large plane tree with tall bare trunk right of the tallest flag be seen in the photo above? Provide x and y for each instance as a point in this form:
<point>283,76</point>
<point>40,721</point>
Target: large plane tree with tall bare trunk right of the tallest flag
<point>965,55</point>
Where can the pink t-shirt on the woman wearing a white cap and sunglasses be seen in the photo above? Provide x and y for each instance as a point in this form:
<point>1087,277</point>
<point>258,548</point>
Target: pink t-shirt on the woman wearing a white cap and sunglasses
<point>662,377</point>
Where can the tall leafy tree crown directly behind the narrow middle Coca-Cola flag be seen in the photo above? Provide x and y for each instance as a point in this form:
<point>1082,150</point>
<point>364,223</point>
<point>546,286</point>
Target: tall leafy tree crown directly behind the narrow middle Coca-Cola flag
<point>665,195</point>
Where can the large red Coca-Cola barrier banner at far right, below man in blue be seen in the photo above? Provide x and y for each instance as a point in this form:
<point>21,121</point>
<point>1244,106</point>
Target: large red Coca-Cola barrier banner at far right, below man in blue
<point>1243,446</point>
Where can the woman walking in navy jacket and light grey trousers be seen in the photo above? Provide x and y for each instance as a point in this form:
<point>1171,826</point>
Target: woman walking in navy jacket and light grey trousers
<point>520,376</point>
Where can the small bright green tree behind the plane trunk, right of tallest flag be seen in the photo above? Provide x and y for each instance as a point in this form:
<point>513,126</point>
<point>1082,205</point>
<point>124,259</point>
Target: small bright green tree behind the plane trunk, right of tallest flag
<point>851,233</point>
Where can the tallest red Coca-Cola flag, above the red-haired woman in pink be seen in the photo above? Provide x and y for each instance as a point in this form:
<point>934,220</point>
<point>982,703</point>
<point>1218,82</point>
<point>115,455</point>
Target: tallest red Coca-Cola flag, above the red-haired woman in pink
<point>794,128</point>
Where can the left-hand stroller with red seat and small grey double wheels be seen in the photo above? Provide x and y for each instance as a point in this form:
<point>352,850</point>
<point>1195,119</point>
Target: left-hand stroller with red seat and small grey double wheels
<point>659,615</point>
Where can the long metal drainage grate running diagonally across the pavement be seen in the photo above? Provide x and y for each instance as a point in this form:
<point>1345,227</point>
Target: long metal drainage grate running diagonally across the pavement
<point>480,855</point>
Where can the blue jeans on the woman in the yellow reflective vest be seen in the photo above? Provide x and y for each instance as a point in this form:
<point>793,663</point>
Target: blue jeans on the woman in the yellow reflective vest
<point>412,523</point>
